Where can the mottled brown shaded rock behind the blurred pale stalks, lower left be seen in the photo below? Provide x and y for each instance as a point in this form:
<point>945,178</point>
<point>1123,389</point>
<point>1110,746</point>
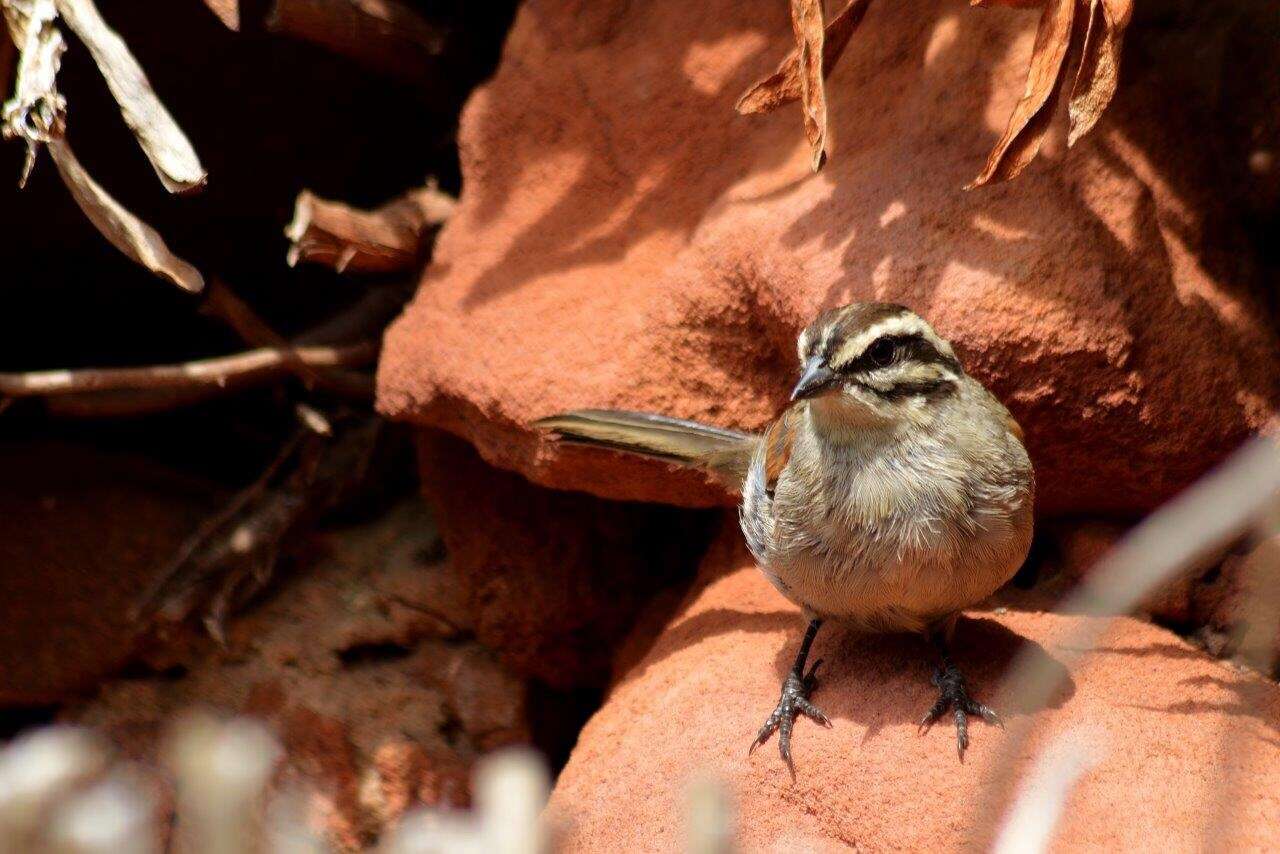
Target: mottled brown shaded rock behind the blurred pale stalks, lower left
<point>364,666</point>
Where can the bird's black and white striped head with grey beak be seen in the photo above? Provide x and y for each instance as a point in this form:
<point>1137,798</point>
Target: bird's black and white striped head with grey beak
<point>883,355</point>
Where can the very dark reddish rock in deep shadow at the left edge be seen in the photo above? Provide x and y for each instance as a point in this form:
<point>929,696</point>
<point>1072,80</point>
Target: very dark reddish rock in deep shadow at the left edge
<point>81,537</point>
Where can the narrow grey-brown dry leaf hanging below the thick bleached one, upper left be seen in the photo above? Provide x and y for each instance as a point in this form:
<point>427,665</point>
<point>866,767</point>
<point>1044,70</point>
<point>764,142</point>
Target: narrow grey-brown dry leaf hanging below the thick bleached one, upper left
<point>122,229</point>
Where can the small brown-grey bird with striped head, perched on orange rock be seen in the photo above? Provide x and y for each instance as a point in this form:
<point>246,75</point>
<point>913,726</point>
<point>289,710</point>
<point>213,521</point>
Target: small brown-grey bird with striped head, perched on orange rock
<point>894,492</point>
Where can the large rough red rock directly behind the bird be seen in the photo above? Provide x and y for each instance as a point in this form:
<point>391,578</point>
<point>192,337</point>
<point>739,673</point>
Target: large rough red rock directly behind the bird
<point>627,240</point>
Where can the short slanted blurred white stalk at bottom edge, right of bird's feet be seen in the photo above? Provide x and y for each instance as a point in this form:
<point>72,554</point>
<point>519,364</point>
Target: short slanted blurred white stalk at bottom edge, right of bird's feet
<point>1039,806</point>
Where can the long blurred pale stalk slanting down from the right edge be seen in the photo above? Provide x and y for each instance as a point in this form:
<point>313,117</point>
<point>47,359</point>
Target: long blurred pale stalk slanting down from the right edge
<point>1200,522</point>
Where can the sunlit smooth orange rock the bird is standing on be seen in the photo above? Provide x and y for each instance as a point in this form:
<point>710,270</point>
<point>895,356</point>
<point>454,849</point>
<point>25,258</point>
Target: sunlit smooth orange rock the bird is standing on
<point>1188,750</point>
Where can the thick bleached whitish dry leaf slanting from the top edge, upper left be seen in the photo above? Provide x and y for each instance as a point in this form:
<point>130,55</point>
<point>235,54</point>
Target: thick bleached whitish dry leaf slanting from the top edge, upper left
<point>161,138</point>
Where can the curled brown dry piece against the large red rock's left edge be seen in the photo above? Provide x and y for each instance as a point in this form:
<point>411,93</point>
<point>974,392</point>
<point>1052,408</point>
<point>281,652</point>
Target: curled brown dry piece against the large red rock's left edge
<point>387,240</point>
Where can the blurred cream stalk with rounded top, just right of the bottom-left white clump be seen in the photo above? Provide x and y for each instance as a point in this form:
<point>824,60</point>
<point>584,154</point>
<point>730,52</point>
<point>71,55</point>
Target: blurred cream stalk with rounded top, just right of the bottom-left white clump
<point>222,771</point>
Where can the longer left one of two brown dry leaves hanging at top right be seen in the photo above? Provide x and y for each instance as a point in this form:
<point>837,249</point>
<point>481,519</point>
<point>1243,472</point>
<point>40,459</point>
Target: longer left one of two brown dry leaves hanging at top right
<point>1030,121</point>
